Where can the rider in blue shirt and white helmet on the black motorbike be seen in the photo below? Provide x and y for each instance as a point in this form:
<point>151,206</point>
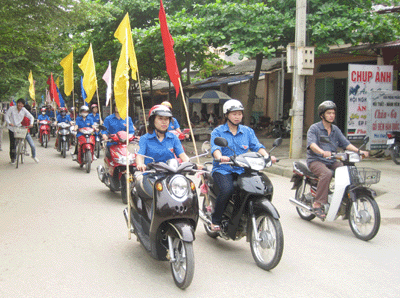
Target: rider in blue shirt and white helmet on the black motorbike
<point>241,139</point>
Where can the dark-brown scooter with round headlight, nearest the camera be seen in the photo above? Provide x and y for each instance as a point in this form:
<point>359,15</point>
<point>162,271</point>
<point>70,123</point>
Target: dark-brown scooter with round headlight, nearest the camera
<point>164,215</point>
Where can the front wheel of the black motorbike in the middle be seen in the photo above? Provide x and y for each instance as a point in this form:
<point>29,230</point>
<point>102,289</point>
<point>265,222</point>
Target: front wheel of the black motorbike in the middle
<point>267,247</point>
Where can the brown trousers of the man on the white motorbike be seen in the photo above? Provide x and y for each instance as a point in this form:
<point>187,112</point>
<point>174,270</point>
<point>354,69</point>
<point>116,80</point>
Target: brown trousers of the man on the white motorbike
<point>324,173</point>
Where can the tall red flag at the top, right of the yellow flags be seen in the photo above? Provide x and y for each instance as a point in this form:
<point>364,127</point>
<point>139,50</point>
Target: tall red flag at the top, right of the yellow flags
<point>170,60</point>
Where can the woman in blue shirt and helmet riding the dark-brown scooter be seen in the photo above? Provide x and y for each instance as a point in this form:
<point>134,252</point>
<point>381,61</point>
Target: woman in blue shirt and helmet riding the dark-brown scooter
<point>158,143</point>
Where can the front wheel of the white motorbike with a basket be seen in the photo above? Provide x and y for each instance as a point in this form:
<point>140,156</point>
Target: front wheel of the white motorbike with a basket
<point>366,226</point>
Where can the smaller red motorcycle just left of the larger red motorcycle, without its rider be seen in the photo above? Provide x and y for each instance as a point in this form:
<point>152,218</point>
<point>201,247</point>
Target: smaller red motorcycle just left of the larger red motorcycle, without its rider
<point>86,148</point>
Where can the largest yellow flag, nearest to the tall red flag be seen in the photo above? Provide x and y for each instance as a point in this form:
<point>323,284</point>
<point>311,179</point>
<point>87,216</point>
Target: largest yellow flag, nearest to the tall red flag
<point>121,81</point>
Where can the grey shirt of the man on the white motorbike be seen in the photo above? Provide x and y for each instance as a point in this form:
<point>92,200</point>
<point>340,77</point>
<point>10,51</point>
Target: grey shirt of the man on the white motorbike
<point>313,136</point>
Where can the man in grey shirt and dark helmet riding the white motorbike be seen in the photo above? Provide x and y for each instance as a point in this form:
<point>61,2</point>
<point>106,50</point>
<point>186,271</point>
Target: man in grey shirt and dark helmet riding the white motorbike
<point>317,152</point>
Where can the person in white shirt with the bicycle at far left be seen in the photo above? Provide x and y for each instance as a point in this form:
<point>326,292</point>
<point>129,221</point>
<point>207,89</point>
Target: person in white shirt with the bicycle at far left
<point>14,117</point>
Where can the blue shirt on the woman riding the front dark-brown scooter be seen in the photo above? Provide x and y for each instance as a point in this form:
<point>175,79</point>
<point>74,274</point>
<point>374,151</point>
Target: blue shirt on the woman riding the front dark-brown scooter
<point>160,151</point>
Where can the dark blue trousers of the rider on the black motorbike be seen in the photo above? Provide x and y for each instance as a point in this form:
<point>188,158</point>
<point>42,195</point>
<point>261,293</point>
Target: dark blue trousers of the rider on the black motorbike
<point>224,188</point>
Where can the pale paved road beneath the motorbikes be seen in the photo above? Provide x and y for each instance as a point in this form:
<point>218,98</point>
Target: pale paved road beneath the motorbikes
<point>63,235</point>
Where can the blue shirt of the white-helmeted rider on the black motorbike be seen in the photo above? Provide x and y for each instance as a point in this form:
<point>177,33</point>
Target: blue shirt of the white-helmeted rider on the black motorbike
<point>244,140</point>
